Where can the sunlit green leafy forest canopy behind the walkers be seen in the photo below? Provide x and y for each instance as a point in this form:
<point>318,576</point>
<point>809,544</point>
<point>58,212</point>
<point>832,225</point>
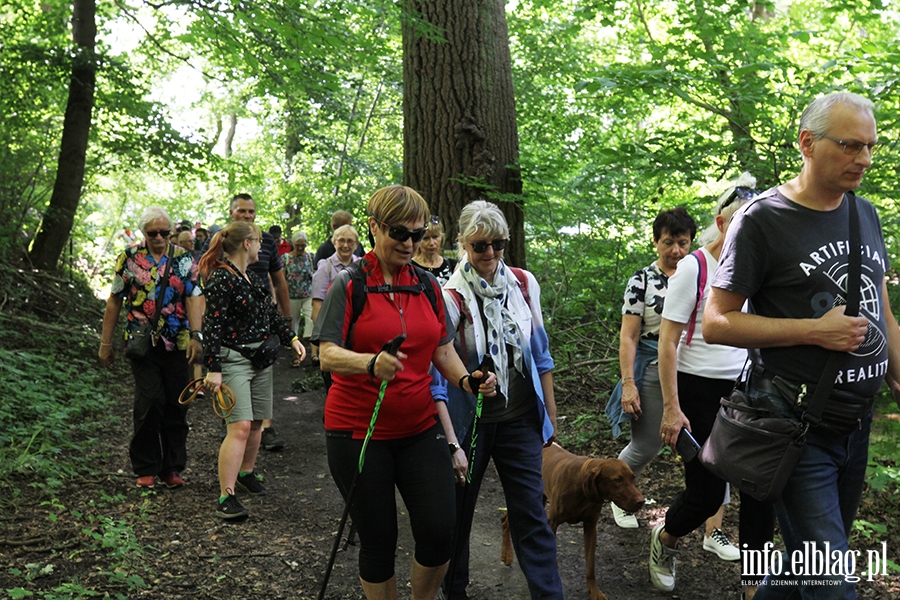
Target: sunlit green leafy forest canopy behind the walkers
<point>622,109</point>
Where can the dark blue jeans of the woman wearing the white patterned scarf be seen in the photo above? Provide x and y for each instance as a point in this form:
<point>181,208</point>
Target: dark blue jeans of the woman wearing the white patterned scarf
<point>515,446</point>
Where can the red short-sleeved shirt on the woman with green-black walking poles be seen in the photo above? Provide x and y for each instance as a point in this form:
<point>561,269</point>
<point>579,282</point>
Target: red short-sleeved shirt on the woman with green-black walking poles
<point>408,406</point>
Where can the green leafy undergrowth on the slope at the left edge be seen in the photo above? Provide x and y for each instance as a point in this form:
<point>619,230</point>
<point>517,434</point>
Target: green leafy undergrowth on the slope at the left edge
<point>55,394</point>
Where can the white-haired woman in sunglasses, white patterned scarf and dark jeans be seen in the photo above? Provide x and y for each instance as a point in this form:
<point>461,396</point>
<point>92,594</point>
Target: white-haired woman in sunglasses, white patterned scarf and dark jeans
<point>497,310</point>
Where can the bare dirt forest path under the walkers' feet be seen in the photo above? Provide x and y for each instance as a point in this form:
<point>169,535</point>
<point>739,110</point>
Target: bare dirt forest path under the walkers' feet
<point>282,550</point>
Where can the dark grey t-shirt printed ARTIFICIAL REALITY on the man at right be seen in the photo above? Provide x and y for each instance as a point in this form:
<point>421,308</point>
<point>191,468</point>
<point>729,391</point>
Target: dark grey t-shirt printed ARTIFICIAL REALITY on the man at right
<point>791,262</point>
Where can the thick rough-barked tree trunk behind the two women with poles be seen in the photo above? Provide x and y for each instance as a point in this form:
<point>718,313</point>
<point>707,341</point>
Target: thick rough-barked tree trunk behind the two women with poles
<point>460,137</point>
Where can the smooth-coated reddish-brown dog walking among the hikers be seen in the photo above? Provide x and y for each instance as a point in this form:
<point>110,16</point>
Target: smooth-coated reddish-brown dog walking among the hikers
<point>575,490</point>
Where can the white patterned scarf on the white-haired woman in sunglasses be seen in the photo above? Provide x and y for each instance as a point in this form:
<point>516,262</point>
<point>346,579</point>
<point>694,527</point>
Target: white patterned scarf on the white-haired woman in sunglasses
<point>505,312</point>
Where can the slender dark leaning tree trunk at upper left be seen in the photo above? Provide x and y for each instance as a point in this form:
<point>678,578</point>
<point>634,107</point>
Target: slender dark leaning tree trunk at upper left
<point>60,215</point>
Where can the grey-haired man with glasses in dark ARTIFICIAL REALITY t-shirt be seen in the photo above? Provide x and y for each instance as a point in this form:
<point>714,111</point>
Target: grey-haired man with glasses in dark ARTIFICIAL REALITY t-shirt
<point>787,252</point>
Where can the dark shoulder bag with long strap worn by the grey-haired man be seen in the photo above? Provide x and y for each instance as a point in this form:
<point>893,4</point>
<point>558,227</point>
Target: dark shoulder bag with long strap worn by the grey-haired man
<point>753,447</point>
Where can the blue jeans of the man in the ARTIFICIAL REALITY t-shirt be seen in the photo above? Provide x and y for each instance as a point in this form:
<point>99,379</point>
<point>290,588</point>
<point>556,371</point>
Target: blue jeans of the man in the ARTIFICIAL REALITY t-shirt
<point>818,506</point>
